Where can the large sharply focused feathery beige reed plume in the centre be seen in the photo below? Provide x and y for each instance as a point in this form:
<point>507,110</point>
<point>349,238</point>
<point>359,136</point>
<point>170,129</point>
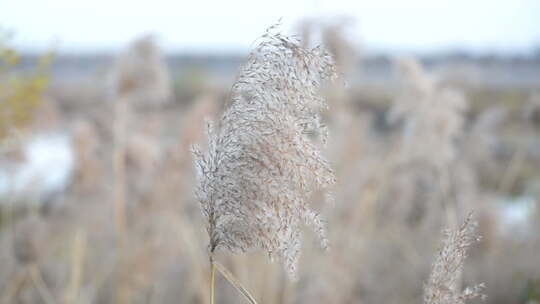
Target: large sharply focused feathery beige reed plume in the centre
<point>262,163</point>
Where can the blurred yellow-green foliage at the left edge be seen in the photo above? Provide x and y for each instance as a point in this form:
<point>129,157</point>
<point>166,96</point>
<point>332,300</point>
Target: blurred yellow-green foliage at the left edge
<point>20,93</point>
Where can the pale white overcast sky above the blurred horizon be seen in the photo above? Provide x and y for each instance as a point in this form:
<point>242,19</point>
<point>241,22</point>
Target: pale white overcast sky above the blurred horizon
<point>229,25</point>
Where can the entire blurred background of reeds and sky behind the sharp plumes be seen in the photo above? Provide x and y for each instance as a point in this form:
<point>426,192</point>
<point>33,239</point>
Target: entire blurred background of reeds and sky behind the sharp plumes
<point>437,114</point>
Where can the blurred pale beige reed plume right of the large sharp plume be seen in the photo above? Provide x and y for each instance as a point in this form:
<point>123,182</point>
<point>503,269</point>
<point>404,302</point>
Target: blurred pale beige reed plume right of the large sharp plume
<point>433,116</point>
